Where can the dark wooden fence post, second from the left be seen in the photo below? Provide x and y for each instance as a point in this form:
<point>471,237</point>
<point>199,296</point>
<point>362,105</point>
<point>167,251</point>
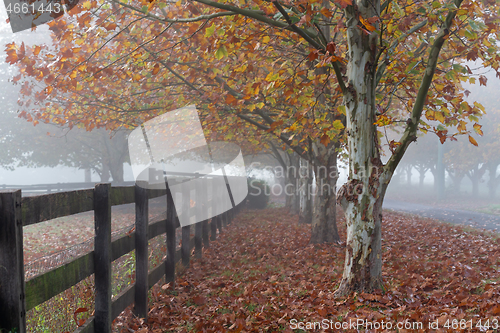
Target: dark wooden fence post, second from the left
<point>102,258</point>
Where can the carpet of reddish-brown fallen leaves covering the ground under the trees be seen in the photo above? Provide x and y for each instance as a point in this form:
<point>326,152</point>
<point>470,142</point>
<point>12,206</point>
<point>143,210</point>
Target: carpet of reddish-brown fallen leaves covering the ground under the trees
<point>261,275</point>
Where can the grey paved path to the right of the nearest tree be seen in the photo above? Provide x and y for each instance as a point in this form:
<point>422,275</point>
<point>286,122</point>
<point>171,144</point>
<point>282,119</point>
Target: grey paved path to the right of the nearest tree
<point>456,216</point>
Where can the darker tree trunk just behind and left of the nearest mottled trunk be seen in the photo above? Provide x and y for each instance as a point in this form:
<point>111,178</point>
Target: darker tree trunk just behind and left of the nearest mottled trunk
<point>324,223</point>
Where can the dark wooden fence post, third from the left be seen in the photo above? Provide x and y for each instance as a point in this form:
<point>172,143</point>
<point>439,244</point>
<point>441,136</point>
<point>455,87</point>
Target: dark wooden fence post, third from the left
<point>141,250</point>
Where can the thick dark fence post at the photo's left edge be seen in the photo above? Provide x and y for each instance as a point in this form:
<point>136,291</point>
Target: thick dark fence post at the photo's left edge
<point>12,298</point>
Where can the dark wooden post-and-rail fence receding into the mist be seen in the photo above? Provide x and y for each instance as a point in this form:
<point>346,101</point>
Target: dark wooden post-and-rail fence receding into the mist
<point>18,296</point>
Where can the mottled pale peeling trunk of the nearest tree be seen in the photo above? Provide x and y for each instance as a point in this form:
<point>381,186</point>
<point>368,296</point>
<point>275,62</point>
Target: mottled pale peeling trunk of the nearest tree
<point>361,197</point>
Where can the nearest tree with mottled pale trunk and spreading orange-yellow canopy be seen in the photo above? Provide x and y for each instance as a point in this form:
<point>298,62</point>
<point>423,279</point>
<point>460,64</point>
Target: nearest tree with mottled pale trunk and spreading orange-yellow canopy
<point>249,61</point>
